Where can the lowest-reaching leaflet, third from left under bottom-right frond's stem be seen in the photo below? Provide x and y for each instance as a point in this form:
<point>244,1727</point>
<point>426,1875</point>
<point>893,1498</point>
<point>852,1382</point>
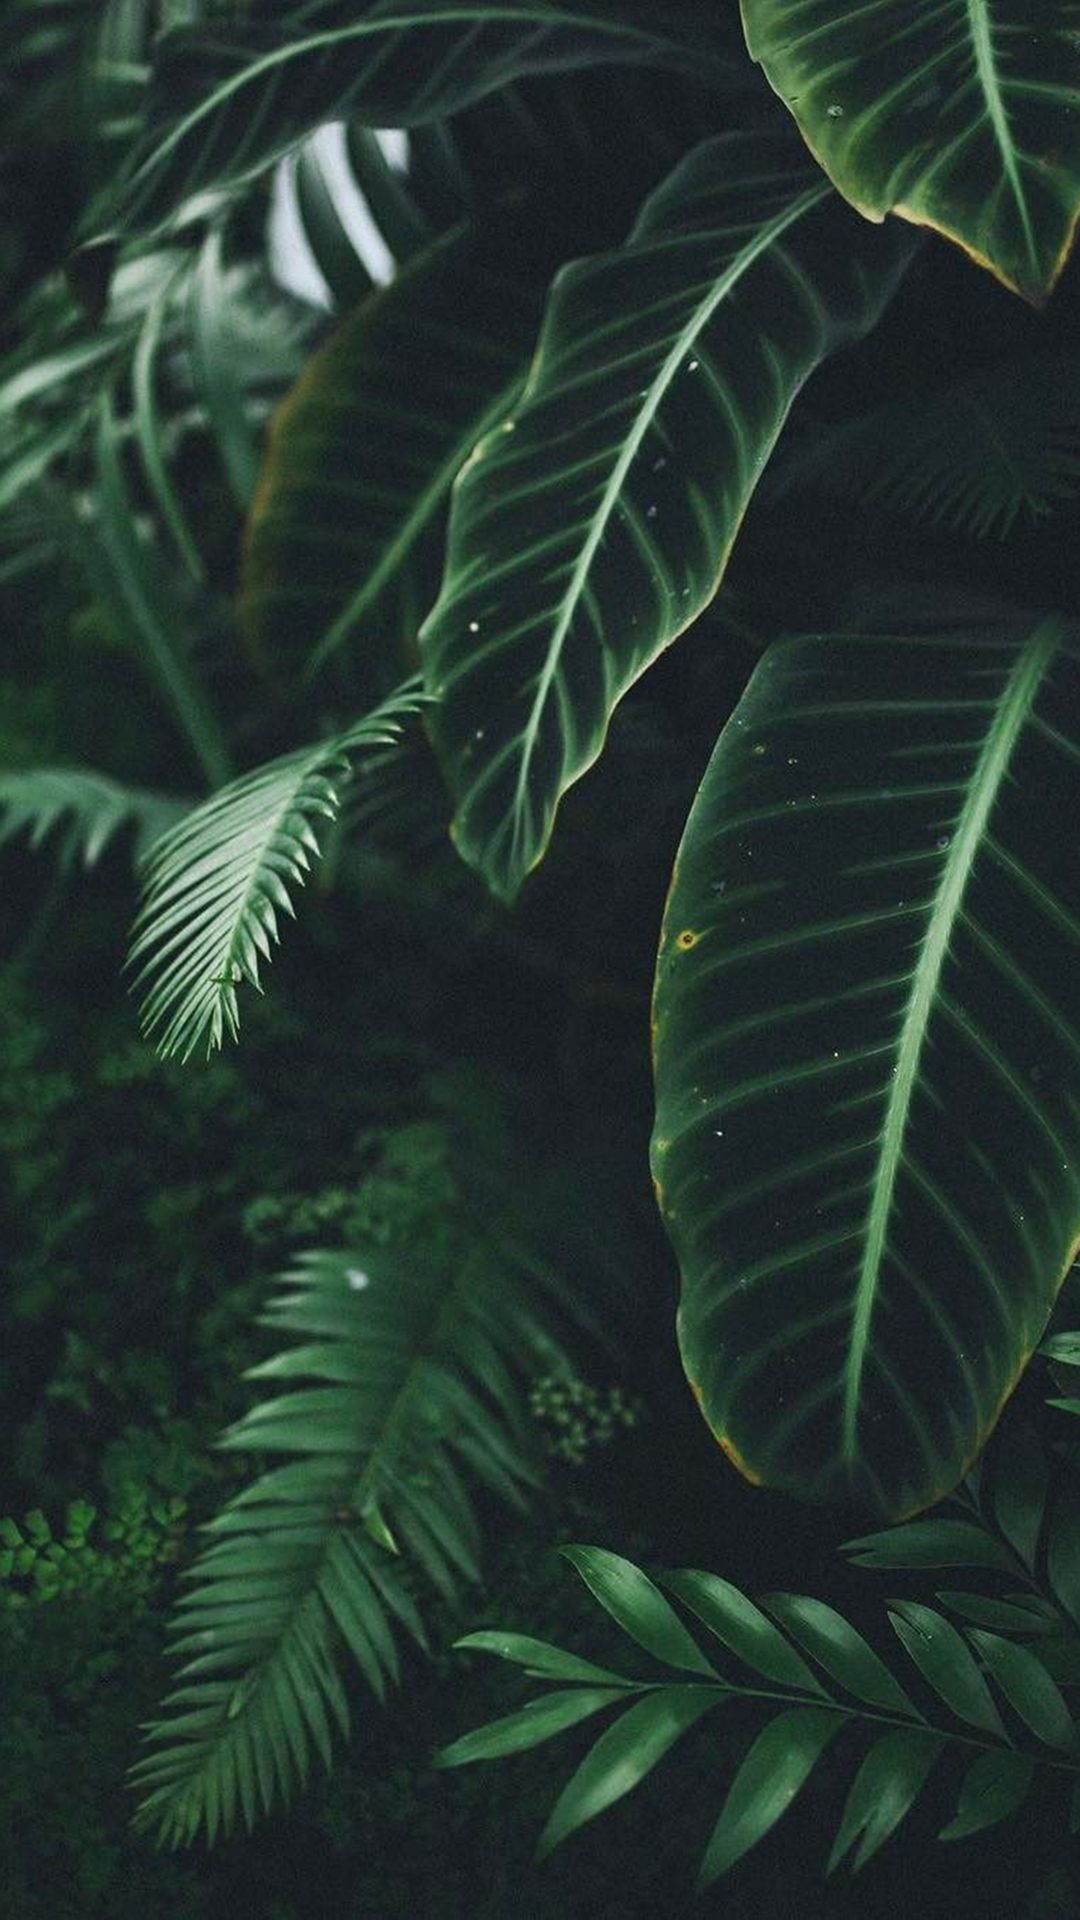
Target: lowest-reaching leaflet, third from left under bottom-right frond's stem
<point>770,1779</point>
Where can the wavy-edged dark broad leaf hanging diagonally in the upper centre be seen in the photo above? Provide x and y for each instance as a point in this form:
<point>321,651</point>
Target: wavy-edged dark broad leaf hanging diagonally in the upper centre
<point>595,525</point>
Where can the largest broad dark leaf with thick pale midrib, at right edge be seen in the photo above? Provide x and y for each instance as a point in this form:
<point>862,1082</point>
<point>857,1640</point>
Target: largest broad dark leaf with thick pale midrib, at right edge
<point>868,1042</point>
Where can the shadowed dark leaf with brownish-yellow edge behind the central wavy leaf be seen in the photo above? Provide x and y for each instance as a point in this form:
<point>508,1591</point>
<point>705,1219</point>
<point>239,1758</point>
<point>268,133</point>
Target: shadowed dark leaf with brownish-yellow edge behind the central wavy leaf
<point>345,540</point>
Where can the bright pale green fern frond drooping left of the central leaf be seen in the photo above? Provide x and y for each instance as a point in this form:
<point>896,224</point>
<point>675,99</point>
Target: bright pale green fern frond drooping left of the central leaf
<point>218,882</point>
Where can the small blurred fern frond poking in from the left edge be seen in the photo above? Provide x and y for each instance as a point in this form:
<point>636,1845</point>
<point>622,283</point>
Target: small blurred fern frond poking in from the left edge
<point>86,809</point>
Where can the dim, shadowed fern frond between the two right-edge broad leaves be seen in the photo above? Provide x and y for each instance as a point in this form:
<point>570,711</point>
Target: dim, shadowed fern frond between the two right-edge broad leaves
<point>973,458</point>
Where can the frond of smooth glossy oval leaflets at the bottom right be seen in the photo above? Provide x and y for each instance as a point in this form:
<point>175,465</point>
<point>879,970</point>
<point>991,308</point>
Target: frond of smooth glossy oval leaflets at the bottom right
<point>814,1675</point>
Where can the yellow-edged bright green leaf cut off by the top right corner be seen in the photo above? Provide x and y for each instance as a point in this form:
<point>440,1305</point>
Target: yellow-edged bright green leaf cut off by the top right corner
<point>962,116</point>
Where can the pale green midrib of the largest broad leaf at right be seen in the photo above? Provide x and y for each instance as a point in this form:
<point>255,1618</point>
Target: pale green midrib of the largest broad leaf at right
<point>989,777</point>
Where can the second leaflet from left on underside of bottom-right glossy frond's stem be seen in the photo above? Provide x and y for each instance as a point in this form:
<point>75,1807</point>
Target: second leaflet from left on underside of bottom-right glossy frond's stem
<point>624,1756</point>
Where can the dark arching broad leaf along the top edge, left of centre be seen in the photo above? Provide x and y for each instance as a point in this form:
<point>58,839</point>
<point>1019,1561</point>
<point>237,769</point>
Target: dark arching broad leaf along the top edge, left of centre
<point>230,99</point>
